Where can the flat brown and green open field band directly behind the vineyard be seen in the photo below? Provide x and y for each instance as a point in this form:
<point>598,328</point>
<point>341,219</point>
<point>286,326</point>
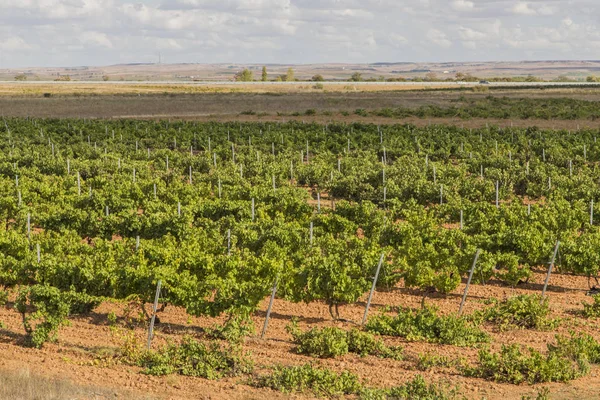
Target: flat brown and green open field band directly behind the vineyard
<point>380,107</point>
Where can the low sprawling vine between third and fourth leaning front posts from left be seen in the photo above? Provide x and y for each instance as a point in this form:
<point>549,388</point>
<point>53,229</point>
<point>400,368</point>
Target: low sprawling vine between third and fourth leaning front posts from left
<point>425,324</point>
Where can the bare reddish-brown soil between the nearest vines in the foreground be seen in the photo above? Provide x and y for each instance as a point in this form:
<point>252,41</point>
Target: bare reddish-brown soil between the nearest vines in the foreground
<point>83,353</point>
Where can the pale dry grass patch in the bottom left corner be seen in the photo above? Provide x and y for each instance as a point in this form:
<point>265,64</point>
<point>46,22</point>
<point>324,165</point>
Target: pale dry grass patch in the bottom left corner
<point>22,385</point>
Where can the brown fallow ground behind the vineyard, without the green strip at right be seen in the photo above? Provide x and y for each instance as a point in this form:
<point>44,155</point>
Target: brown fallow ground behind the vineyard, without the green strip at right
<point>216,104</point>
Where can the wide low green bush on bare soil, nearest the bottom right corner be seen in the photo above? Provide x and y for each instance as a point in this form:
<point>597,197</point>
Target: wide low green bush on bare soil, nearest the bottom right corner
<point>511,365</point>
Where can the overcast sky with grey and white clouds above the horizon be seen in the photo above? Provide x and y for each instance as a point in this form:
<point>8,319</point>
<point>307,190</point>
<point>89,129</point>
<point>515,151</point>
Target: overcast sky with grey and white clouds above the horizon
<point>103,32</point>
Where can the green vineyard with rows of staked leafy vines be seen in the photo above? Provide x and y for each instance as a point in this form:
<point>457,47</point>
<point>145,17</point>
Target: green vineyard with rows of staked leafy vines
<point>224,215</point>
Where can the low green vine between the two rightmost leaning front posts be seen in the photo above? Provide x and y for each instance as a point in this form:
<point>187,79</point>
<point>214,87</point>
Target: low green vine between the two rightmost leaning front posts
<point>522,311</point>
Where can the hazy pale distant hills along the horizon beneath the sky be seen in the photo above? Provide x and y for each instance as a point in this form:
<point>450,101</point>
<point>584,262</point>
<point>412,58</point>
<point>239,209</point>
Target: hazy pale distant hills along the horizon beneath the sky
<point>547,70</point>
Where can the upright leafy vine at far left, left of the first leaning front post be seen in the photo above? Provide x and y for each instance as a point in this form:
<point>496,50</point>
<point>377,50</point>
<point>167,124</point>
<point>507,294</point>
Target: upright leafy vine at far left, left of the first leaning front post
<point>44,310</point>
